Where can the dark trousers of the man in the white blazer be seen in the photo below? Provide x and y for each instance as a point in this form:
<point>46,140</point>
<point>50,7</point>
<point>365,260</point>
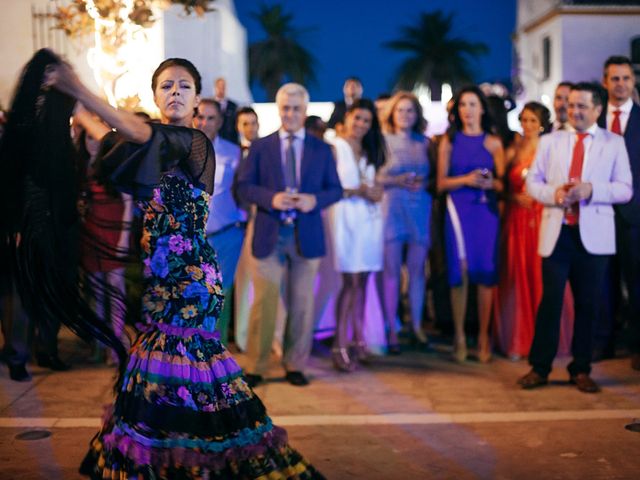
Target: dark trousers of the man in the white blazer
<point>585,273</point>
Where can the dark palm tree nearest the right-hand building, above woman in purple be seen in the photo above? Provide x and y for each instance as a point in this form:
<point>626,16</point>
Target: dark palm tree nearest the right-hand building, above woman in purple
<point>435,55</point>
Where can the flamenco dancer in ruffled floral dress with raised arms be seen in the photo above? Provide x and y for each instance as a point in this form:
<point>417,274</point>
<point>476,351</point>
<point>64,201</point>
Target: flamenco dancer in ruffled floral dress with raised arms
<point>183,409</point>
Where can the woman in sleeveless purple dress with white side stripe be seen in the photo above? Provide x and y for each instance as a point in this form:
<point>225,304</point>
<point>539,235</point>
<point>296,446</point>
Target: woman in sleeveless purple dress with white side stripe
<point>470,166</point>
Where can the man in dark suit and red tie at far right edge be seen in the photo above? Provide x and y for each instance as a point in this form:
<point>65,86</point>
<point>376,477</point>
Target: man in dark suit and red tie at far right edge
<point>622,116</point>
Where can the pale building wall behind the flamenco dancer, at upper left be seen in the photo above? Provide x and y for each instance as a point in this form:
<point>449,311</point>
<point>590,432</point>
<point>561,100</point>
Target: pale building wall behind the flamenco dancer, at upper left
<point>216,43</point>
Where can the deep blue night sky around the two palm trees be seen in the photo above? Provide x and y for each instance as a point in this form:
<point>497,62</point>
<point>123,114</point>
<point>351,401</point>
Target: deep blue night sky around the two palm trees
<point>345,36</point>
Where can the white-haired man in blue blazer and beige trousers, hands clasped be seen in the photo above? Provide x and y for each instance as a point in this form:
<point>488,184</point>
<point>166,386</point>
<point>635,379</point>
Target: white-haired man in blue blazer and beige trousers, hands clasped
<point>290,176</point>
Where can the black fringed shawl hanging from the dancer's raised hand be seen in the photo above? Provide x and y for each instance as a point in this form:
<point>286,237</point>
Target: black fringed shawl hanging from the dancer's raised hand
<point>39,192</point>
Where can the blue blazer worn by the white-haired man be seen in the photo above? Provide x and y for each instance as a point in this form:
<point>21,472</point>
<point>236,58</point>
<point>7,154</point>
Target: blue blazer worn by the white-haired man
<point>260,177</point>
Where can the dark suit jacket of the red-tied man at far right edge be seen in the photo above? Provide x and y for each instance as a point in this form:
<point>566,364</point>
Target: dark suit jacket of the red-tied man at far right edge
<point>630,211</point>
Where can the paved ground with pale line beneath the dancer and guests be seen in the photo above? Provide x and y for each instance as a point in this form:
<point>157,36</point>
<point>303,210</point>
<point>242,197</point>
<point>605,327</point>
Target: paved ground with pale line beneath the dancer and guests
<point>414,416</point>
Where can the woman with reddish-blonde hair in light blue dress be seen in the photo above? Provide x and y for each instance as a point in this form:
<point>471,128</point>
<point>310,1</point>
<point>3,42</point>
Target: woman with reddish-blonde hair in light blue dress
<point>406,211</point>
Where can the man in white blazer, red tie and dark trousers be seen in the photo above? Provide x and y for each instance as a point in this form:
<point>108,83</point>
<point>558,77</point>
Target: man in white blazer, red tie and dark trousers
<point>578,176</point>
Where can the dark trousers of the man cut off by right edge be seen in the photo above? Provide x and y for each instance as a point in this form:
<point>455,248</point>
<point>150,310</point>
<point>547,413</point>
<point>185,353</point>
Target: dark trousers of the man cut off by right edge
<point>628,243</point>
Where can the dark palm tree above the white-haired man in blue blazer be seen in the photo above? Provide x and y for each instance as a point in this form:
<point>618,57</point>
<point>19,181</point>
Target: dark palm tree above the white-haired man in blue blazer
<point>279,57</point>
